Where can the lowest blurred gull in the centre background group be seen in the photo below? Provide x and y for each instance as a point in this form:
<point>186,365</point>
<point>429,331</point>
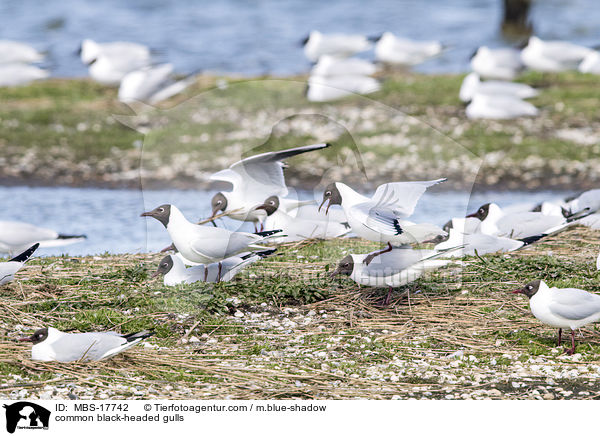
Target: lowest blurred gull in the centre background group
<point>328,88</point>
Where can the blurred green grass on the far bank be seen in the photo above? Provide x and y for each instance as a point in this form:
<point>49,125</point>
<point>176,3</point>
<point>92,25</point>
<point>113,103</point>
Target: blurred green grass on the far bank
<point>74,119</point>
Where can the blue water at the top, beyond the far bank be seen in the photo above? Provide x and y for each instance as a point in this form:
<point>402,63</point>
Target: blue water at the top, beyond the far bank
<point>257,37</point>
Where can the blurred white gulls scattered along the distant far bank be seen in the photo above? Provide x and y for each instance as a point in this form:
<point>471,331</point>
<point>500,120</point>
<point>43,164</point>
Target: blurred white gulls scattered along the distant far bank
<point>336,72</point>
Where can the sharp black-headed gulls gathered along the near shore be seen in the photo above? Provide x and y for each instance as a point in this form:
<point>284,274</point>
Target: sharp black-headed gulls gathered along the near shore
<point>207,253</point>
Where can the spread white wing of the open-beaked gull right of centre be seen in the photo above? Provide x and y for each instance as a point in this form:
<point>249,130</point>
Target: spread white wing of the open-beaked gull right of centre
<point>401,197</point>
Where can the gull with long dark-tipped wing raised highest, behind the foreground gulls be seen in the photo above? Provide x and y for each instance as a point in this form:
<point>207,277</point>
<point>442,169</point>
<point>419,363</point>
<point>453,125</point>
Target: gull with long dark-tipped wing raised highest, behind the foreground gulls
<point>254,179</point>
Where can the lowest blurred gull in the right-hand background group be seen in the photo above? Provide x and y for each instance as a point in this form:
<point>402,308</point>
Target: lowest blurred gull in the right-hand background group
<point>499,107</point>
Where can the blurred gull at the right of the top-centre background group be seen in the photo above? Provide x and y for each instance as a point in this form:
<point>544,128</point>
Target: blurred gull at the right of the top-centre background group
<point>402,51</point>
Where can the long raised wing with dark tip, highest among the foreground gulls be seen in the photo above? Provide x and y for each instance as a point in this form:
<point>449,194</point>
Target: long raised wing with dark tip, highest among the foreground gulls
<point>263,172</point>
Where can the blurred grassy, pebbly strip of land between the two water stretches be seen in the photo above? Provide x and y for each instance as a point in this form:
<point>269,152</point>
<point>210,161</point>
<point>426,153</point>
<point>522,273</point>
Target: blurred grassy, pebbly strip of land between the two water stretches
<point>64,133</point>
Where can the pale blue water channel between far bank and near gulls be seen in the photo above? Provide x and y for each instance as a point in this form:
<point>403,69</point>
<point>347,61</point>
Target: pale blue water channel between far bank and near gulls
<point>111,218</point>
